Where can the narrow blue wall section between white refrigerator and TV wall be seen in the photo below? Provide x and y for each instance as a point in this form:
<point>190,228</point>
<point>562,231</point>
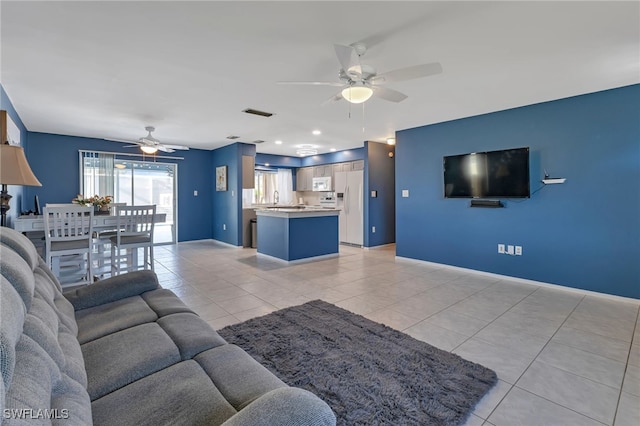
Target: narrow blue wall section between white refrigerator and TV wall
<point>379,176</point>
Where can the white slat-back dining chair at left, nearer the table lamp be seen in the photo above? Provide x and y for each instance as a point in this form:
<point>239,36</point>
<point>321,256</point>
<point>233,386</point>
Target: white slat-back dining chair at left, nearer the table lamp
<point>69,241</point>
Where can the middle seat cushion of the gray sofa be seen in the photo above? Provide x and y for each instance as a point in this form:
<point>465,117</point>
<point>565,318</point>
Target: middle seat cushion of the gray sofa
<point>120,358</point>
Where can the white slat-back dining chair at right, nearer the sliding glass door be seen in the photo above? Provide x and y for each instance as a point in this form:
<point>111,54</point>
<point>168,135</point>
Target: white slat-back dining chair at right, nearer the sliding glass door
<point>135,226</point>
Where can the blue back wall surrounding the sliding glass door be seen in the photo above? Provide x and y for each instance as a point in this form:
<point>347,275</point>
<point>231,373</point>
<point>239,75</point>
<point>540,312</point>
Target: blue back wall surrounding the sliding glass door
<point>55,161</point>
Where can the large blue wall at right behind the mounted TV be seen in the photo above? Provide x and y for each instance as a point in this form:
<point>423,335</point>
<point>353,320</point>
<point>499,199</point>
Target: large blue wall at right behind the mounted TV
<point>583,234</point>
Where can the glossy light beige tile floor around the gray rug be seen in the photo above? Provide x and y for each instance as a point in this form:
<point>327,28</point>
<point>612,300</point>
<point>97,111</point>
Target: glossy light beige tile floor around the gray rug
<point>562,358</point>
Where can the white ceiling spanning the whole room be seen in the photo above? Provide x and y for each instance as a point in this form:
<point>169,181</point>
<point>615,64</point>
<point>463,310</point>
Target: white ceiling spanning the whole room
<point>108,69</point>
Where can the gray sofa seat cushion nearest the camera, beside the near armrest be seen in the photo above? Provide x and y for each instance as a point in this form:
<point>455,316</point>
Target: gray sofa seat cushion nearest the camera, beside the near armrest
<point>181,394</point>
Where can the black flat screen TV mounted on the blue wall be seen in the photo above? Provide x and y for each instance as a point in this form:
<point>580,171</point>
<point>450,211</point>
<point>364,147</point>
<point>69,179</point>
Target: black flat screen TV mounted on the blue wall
<point>492,174</point>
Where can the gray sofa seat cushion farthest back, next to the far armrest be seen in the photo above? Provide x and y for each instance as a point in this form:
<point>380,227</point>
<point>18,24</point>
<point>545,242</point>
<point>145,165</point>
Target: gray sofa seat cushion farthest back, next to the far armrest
<point>101,320</point>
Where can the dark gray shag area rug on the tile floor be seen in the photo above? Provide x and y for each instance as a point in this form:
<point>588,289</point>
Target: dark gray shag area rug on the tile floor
<point>368,373</point>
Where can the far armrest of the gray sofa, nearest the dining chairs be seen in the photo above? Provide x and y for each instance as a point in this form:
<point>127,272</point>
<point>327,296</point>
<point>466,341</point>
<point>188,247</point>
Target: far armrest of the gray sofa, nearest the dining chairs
<point>112,289</point>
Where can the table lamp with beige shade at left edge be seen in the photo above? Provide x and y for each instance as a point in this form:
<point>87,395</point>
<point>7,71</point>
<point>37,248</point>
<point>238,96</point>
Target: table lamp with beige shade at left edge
<point>14,170</point>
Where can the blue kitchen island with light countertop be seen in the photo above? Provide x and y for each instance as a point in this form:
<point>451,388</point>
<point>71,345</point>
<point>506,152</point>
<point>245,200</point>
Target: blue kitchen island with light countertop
<point>297,234</point>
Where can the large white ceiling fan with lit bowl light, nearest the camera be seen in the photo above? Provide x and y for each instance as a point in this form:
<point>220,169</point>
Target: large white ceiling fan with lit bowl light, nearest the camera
<point>360,81</point>
